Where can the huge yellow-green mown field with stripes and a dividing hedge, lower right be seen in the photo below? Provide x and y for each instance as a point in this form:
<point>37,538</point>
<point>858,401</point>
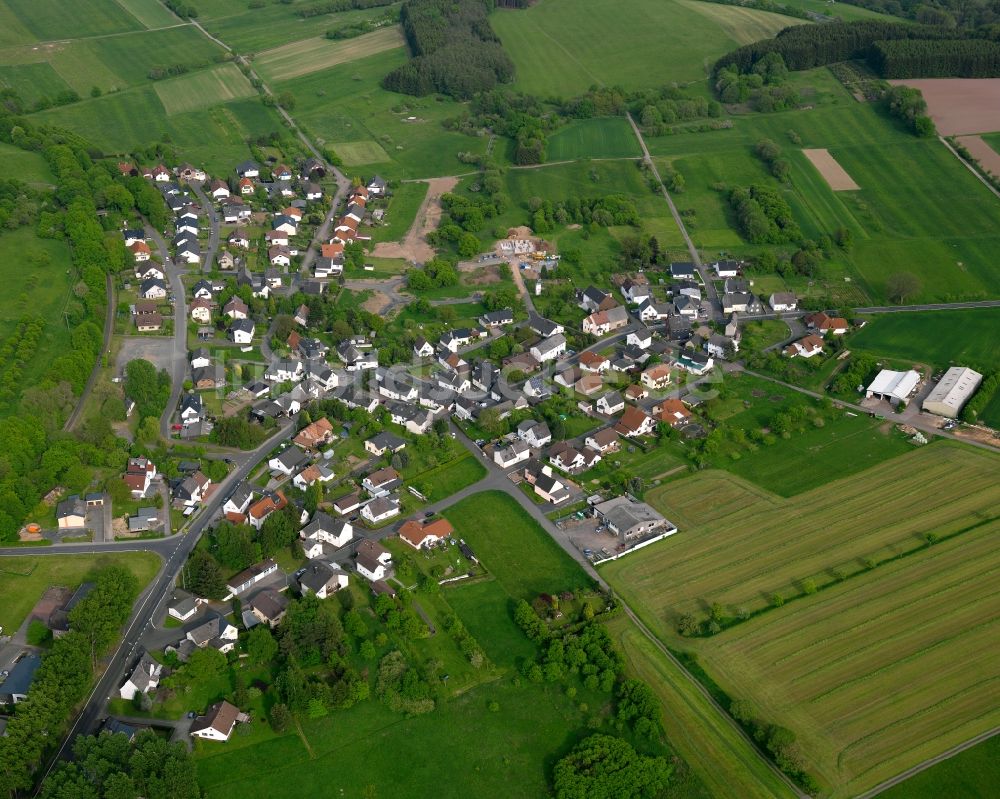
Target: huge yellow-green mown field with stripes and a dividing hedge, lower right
<point>868,672</point>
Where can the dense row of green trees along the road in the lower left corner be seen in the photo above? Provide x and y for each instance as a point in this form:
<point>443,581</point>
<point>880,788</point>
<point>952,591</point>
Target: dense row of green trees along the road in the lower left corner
<point>64,677</point>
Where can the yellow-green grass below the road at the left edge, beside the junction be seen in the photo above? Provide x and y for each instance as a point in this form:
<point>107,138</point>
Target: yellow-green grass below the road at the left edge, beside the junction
<point>23,580</point>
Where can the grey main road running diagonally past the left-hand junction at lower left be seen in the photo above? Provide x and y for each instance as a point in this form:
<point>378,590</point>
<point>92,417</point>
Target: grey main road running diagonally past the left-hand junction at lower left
<point>177,548</point>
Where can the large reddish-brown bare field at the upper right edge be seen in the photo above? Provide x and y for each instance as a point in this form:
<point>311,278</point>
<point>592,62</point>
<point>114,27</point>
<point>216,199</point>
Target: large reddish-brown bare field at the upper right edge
<point>960,105</point>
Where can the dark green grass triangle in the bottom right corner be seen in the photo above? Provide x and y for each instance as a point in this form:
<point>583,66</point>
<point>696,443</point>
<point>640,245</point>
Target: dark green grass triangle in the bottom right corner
<point>972,774</point>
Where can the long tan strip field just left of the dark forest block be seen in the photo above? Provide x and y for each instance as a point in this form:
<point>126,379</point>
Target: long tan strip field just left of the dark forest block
<point>312,55</point>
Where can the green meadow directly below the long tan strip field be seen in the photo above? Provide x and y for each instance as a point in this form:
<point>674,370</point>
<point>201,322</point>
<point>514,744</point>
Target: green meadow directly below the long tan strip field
<point>346,104</point>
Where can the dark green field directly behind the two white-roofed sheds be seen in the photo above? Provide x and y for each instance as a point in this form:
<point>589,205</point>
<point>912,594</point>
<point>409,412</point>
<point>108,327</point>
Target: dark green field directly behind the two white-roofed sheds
<point>940,338</point>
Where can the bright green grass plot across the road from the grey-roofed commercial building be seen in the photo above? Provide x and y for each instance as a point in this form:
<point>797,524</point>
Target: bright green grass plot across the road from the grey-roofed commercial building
<point>511,545</point>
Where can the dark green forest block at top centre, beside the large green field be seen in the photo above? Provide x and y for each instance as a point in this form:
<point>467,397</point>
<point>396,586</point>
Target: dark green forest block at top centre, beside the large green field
<point>455,51</point>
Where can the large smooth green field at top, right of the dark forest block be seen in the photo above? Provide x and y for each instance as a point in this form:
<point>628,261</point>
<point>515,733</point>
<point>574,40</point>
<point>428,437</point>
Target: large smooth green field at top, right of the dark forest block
<point>561,47</point>
